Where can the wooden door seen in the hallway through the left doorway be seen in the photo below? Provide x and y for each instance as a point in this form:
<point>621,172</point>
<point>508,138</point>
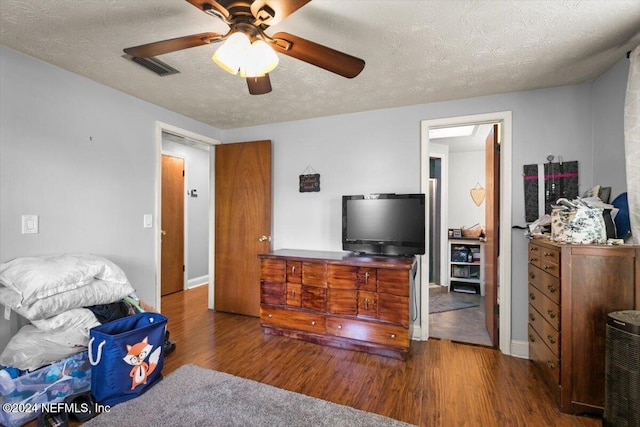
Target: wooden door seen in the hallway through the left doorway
<point>172,228</point>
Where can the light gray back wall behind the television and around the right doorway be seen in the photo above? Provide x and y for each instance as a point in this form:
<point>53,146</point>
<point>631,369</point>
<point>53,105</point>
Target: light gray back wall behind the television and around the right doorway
<point>379,151</point>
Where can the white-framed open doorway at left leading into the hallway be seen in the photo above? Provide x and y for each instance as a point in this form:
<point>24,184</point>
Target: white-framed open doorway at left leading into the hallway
<point>196,264</point>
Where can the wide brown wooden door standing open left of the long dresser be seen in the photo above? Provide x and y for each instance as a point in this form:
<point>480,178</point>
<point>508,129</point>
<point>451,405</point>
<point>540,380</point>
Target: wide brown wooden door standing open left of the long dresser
<point>242,223</point>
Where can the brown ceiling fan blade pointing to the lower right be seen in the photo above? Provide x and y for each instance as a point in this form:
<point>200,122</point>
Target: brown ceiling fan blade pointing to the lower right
<point>318,55</point>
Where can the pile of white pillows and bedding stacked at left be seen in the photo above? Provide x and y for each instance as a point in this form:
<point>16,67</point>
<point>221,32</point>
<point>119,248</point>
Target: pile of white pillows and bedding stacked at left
<point>51,292</point>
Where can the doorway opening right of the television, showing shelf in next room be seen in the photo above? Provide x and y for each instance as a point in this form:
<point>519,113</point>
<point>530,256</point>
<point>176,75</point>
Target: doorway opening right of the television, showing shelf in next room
<point>457,296</point>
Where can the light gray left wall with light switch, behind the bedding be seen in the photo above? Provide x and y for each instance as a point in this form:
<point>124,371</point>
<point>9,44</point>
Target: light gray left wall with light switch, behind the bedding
<point>83,157</point>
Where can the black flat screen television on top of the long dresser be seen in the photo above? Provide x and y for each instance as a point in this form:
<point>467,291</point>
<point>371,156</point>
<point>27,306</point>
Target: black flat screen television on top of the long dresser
<point>384,224</point>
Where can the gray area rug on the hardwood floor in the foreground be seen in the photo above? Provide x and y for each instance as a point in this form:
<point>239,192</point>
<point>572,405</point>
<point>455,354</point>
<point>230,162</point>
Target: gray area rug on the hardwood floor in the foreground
<point>194,396</point>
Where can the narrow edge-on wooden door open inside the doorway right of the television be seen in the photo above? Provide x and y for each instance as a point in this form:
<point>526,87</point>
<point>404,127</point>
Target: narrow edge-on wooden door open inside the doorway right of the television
<point>492,215</point>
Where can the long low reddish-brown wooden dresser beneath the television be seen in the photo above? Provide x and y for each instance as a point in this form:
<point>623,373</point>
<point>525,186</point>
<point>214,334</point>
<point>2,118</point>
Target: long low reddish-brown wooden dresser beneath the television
<point>338,299</point>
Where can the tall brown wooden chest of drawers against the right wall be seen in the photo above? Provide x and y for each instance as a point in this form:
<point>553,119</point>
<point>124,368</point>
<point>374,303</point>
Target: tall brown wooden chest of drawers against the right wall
<point>572,288</point>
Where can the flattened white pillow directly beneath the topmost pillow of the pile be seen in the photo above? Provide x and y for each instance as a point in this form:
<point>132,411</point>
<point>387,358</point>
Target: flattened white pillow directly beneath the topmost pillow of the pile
<point>94,293</point>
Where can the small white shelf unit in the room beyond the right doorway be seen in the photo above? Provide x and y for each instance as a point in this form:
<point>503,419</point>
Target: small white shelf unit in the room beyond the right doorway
<point>466,266</point>
